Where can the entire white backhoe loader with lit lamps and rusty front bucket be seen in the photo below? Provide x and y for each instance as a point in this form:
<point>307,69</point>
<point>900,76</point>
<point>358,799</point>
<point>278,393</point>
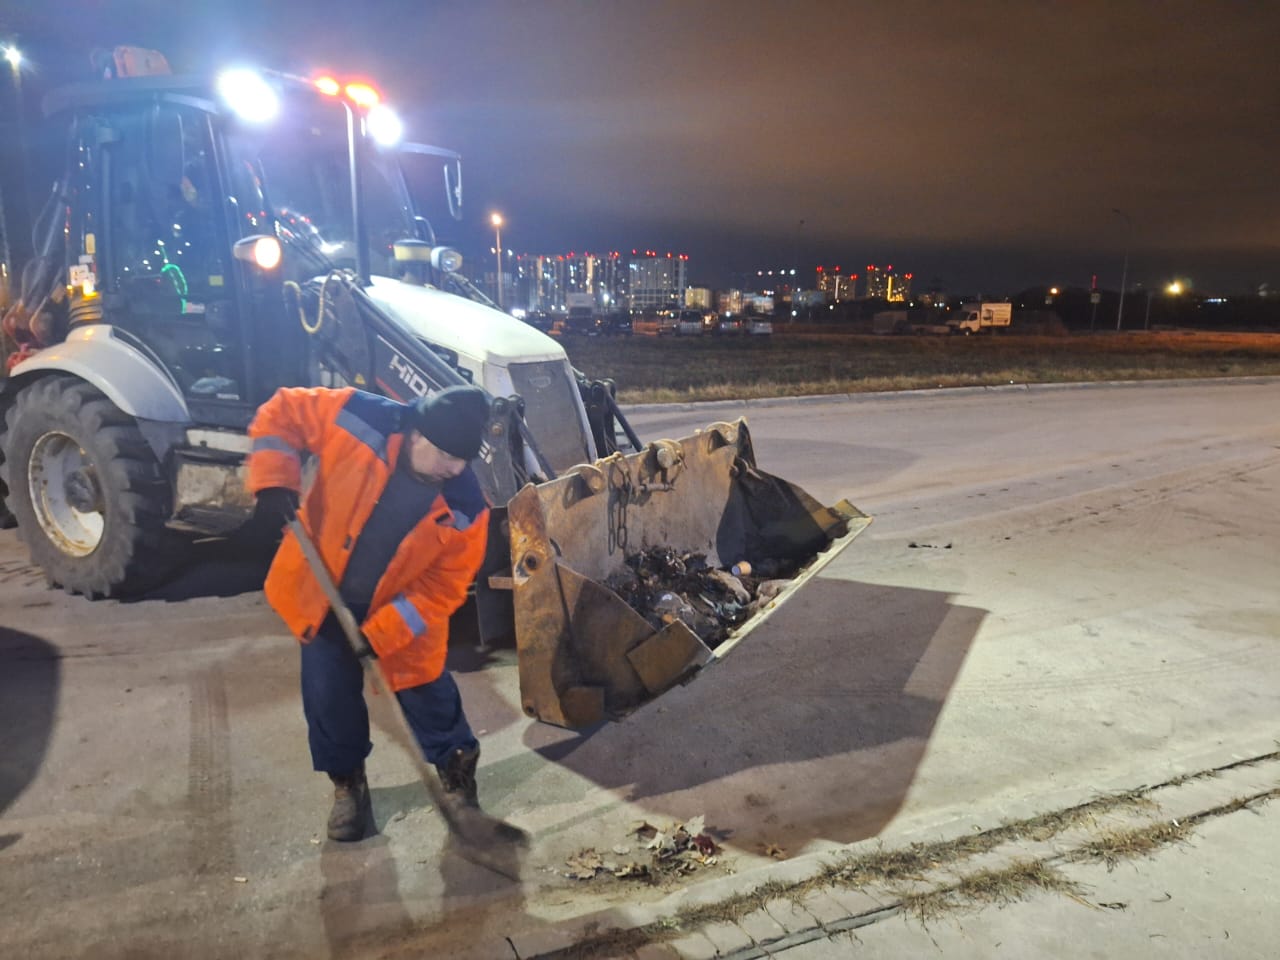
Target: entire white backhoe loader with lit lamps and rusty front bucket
<point>175,249</point>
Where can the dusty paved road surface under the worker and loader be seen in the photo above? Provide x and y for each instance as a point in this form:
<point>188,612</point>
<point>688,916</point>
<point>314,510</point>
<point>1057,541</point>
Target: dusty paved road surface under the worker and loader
<point>1066,591</point>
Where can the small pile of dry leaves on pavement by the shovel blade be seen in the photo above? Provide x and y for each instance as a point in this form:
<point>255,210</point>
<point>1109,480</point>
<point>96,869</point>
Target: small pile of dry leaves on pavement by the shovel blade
<point>675,852</point>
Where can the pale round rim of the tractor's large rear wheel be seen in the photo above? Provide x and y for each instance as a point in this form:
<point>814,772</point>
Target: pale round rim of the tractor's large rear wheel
<point>66,495</point>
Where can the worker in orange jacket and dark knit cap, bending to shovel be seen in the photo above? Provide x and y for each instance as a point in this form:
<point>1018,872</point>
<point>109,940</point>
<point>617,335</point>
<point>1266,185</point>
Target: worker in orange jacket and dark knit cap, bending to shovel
<point>400,520</point>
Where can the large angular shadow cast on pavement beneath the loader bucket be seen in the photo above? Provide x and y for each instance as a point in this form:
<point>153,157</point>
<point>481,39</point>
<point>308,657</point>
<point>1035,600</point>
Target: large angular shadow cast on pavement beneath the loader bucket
<point>813,728</point>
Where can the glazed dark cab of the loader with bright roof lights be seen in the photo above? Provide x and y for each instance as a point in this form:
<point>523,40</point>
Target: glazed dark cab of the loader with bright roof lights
<point>170,180</point>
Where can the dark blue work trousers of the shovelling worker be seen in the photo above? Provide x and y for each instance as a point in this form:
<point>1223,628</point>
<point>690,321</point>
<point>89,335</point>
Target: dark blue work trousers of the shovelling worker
<point>337,717</point>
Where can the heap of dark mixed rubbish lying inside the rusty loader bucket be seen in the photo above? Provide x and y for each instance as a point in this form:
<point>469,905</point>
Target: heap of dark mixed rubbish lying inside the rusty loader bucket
<point>664,586</point>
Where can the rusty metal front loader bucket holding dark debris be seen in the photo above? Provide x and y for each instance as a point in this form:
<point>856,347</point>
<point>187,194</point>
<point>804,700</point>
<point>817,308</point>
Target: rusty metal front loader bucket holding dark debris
<point>586,655</point>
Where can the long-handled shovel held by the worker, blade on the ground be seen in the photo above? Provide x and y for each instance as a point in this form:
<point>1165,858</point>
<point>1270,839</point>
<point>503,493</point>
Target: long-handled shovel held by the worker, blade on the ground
<point>481,838</point>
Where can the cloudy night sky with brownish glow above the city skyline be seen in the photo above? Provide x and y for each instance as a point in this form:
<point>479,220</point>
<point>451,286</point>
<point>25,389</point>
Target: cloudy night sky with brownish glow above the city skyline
<point>981,145</point>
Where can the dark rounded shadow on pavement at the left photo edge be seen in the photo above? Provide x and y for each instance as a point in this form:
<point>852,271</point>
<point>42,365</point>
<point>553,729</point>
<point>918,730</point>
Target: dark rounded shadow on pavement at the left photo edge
<point>30,683</point>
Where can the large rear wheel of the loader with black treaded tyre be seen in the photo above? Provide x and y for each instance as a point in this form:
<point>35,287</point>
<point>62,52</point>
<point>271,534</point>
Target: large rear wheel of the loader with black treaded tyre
<point>89,495</point>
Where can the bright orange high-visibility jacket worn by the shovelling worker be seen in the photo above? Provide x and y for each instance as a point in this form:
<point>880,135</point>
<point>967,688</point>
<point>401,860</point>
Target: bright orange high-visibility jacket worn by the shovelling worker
<point>356,438</point>
